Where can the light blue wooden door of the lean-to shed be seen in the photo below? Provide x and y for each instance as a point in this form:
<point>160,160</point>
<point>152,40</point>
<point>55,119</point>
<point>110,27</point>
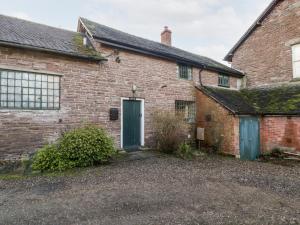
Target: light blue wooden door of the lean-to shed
<point>249,138</point>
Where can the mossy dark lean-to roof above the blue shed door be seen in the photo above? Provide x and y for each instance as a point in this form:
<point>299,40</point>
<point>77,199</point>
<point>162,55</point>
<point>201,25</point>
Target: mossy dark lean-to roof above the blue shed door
<point>270,100</point>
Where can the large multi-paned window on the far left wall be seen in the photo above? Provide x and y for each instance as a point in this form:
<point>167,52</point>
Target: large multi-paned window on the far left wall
<point>24,90</point>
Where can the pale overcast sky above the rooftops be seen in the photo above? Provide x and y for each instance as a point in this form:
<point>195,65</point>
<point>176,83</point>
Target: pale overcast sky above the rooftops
<point>205,27</point>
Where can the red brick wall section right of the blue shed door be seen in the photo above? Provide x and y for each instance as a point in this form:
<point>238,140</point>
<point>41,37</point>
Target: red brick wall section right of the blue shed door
<point>282,132</point>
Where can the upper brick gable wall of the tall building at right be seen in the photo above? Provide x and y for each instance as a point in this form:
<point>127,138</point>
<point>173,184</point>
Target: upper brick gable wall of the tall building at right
<point>266,56</point>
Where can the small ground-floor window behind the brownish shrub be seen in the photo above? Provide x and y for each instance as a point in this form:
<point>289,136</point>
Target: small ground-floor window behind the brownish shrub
<point>187,109</point>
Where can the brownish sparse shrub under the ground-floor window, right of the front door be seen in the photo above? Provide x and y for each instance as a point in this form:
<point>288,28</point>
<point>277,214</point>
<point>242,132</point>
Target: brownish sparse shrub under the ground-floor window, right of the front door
<point>170,130</point>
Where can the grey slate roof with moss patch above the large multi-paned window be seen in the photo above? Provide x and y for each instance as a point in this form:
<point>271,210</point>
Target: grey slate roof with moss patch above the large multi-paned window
<point>21,33</point>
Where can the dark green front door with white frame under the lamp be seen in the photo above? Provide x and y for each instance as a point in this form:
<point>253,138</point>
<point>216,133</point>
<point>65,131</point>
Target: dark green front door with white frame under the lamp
<point>131,124</point>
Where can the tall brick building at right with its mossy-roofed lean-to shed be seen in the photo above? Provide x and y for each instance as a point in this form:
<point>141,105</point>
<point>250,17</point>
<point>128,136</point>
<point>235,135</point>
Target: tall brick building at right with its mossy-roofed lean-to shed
<point>265,114</point>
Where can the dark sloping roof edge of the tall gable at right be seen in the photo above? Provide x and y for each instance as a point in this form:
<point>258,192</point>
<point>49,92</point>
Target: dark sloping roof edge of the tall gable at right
<point>256,24</point>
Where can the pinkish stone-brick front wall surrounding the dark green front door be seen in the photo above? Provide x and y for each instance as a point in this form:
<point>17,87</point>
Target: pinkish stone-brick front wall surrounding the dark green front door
<point>88,91</point>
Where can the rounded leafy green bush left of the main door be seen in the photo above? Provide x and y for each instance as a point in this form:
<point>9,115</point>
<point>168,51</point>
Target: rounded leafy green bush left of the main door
<point>80,147</point>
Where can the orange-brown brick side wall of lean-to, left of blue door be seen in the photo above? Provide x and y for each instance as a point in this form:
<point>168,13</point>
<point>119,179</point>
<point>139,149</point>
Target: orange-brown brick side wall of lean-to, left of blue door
<point>221,127</point>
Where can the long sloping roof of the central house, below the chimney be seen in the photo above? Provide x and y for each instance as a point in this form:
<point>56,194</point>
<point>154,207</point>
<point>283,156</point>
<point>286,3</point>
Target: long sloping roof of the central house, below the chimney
<point>124,40</point>
